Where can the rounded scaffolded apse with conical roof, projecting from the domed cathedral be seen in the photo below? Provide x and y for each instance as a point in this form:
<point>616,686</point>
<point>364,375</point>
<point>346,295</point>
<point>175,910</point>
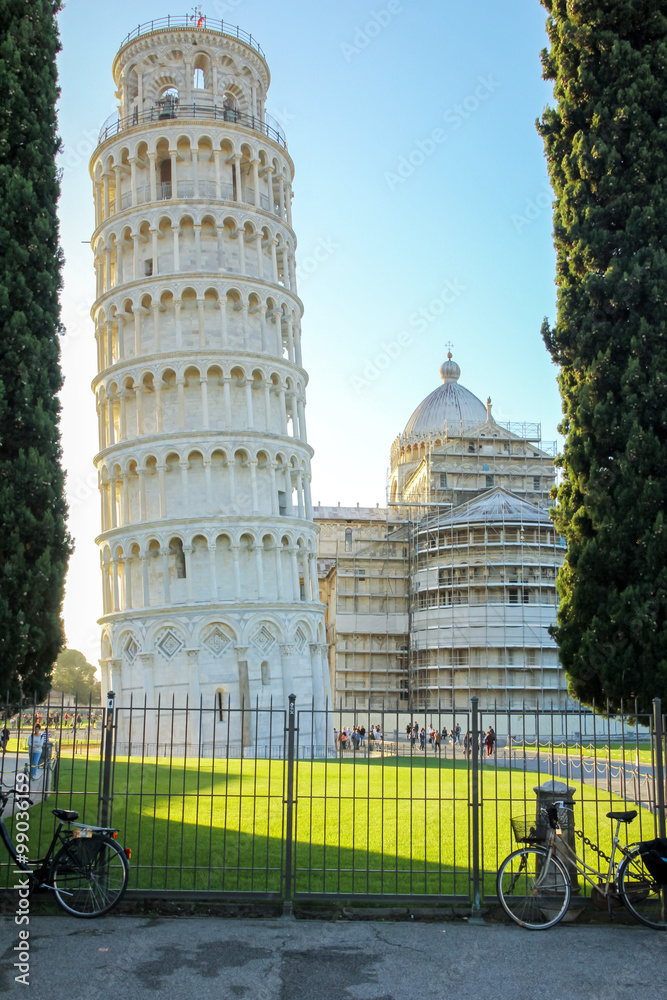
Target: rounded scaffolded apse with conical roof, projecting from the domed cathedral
<point>483,595</point>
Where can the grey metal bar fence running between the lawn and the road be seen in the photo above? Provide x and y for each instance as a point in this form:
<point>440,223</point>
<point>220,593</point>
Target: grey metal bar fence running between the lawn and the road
<point>267,803</point>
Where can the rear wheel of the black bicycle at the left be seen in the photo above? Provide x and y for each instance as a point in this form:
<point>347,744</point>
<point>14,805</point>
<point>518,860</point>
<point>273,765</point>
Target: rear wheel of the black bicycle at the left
<point>89,875</point>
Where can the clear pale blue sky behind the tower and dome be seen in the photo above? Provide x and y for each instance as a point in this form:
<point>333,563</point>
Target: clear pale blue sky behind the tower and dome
<point>420,182</point>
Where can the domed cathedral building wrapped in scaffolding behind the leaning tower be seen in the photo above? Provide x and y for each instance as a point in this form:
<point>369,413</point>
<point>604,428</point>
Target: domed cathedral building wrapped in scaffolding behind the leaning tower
<point>449,592</point>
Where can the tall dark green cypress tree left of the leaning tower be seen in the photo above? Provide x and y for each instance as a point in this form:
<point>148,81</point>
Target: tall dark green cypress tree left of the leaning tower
<point>34,545</point>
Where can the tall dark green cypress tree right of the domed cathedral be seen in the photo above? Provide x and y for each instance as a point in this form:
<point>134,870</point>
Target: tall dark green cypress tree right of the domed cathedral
<point>606,145</point>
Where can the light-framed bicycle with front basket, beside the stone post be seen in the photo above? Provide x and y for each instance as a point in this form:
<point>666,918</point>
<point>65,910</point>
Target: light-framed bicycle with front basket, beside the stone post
<point>534,882</point>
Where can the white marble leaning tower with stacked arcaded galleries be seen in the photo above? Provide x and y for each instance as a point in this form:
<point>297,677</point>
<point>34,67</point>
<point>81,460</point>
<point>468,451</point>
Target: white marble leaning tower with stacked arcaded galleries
<point>207,544</point>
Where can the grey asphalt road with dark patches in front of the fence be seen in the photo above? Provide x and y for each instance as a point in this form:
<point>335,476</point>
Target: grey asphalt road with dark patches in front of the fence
<point>201,958</point>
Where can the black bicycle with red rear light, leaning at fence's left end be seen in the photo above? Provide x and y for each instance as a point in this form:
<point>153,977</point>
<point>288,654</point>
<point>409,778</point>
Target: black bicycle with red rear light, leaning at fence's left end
<point>88,875</point>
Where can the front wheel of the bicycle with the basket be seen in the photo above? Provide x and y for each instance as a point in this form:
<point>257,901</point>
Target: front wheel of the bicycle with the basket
<point>533,888</point>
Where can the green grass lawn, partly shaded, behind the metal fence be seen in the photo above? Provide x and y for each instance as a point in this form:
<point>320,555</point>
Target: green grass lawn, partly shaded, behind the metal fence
<point>393,826</point>
